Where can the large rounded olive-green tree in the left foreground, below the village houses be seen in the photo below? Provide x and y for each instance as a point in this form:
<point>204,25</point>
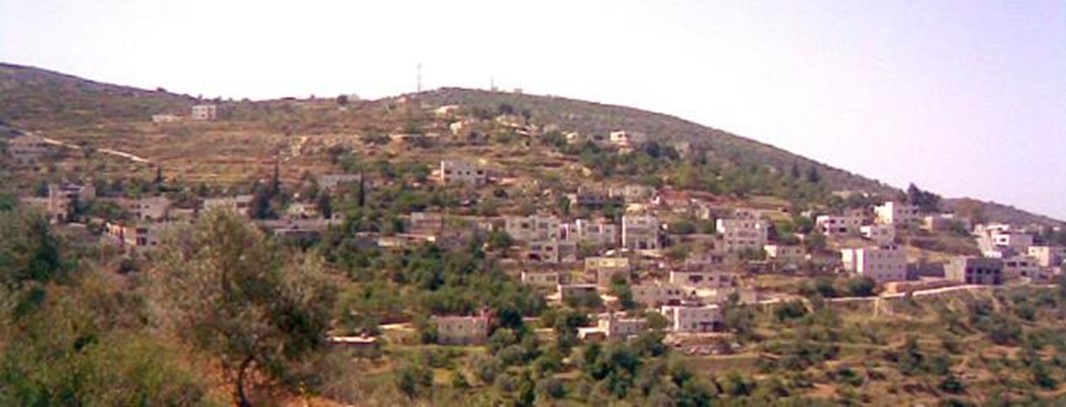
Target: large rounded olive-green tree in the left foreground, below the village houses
<point>227,291</point>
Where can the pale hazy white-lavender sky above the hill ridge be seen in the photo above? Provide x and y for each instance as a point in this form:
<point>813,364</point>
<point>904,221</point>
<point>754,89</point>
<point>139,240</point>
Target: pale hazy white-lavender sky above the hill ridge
<point>961,97</point>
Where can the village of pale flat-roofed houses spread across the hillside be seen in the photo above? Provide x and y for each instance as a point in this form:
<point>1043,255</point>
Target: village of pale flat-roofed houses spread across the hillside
<point>612,247</point>
